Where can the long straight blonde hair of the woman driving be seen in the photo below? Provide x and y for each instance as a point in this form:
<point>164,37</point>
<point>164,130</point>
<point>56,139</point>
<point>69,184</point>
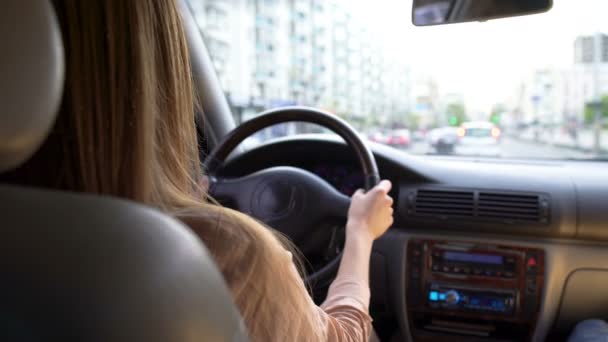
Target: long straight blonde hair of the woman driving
<point>126,128</point>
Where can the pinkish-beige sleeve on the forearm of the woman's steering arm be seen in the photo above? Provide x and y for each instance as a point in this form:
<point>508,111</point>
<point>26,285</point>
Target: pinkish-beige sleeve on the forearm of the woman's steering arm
<point>343,317</point>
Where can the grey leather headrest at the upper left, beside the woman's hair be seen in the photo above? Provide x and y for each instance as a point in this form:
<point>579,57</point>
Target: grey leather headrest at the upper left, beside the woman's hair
<point>31,77</point>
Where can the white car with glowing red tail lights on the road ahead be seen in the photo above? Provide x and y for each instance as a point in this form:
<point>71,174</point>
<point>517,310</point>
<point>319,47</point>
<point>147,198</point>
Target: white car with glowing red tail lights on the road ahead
<point>478,138</point>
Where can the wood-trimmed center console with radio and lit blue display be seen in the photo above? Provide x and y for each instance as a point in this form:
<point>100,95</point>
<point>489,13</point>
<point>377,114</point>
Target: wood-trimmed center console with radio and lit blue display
<point>470,291</point>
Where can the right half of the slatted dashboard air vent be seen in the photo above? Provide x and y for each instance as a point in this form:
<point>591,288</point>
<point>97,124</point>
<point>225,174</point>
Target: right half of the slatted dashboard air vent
<point>512,207</point>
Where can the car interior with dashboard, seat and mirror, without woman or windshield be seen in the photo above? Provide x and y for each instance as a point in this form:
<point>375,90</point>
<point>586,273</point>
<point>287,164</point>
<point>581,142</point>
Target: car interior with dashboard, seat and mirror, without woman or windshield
<point>481,249</point>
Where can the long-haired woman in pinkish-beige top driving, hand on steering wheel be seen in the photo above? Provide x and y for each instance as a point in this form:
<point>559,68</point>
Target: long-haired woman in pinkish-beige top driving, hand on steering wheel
<point>126,128</point>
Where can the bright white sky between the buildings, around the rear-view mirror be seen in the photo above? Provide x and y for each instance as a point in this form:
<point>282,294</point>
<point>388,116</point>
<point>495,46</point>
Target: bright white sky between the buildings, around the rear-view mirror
<point>485,62</point>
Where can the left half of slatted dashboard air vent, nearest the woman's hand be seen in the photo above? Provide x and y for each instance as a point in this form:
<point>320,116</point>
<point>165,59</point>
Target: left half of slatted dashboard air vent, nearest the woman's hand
<point>444,203</point>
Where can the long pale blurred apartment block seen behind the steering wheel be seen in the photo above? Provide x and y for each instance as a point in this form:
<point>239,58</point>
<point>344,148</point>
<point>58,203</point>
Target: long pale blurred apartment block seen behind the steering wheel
<point>271,53</point>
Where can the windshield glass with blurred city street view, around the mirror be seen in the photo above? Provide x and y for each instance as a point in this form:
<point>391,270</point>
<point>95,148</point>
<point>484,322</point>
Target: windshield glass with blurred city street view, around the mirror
<point>534,86</point>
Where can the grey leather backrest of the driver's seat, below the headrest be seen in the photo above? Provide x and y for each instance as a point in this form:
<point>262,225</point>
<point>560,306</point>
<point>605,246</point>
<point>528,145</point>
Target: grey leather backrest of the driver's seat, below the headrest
<point>92,268</point>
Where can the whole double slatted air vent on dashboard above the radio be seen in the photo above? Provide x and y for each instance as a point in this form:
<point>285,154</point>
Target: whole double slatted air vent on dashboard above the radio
<point>504,207</point>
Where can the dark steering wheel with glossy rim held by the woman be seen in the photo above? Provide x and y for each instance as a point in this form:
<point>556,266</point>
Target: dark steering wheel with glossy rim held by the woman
<point>290,200</point>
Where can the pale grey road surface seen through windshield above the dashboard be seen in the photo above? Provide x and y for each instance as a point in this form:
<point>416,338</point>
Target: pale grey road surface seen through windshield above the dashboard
<point>512,148</point>
